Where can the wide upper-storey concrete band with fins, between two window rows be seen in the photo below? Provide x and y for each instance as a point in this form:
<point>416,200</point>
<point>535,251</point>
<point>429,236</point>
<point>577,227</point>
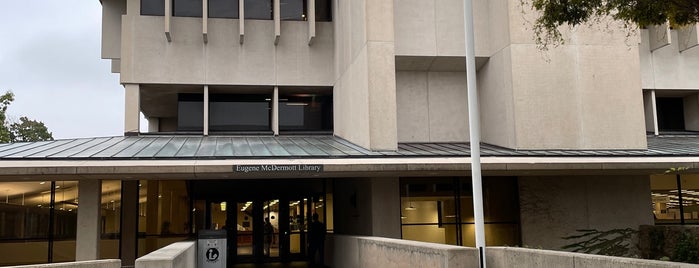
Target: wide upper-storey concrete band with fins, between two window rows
<point>147,57</point>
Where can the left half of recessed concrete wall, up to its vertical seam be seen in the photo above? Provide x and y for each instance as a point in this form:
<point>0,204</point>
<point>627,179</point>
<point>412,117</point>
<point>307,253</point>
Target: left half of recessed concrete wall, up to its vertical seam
<point>412,107</point>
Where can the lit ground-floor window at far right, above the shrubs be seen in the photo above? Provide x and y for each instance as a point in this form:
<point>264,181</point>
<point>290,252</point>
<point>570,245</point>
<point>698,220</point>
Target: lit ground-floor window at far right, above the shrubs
<point>666,193</point>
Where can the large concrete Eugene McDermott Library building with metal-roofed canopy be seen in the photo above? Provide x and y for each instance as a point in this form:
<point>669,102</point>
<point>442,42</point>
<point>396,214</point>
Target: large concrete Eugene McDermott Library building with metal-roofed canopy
<point>356,111</point>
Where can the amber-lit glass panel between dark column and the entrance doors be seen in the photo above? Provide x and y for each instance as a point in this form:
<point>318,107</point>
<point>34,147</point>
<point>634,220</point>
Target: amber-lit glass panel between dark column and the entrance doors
<point>165,214</point>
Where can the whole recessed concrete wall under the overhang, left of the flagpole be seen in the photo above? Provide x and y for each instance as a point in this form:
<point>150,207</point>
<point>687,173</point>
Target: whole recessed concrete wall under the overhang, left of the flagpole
<point>432,107</point>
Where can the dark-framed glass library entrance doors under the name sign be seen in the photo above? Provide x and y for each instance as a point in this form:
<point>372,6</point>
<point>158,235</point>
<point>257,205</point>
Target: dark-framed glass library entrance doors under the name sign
<point>266,220</point>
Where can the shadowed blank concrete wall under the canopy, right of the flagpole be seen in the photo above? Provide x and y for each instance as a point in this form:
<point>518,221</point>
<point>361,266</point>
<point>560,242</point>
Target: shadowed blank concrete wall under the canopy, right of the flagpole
<point>554,207</point>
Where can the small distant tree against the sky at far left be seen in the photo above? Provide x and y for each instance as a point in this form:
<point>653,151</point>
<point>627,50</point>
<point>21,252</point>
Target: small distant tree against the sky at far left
<point>25,130</point>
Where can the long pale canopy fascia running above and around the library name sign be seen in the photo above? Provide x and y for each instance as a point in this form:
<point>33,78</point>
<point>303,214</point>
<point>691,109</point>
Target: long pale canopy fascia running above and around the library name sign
<point>437,166</point>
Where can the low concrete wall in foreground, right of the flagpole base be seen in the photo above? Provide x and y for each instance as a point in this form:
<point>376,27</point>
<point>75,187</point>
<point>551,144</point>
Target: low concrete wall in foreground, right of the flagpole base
<point>501,257</point>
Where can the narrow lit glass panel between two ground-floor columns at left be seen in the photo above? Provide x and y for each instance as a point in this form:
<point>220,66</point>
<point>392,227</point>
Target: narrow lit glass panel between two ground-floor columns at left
<point>110,228</point>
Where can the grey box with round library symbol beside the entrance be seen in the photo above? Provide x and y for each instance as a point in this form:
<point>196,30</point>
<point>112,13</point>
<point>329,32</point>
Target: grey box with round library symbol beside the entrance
<point>211,249</point>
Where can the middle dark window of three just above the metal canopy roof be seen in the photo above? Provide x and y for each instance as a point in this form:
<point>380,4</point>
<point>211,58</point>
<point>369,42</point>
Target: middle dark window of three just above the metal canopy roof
<point>238,112</point>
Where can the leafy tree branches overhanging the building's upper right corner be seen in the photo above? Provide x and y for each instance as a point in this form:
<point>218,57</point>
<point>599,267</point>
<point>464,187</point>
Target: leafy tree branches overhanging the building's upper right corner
<point>556,13</point>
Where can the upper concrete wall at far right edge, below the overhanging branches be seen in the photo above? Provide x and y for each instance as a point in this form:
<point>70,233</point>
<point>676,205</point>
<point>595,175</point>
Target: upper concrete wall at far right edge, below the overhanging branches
<point>667,68</point>
